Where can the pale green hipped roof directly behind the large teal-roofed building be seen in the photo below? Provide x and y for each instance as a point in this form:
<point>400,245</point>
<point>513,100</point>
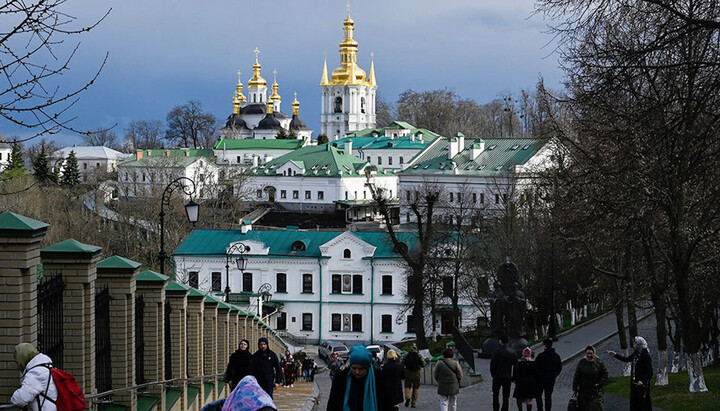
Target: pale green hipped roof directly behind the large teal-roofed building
<point>322,160</point>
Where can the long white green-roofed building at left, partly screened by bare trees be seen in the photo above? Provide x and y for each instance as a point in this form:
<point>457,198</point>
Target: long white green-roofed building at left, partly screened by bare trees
<point>150,170</point>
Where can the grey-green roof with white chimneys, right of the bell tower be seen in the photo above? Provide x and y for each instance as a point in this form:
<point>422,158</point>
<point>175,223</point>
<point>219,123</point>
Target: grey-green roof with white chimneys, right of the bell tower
<point>497,159</point>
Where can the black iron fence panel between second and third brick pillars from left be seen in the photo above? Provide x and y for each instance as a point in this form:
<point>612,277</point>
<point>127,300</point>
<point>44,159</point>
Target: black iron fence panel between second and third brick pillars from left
<point>103,350</point>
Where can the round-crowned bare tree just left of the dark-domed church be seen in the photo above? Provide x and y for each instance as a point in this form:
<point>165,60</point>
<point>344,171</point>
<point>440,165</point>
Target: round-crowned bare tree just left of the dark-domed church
<point>188,126</point>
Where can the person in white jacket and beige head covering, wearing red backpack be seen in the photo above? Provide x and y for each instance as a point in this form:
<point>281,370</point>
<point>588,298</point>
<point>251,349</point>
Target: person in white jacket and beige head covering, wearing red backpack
<point>38,389</point>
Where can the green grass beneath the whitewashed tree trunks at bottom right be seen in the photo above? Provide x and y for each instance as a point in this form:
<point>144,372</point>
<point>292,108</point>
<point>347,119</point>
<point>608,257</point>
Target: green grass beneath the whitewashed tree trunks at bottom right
<point>675,395</point>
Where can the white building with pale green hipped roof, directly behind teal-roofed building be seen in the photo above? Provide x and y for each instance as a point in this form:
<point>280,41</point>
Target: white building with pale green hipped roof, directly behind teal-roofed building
<point>318,179</point>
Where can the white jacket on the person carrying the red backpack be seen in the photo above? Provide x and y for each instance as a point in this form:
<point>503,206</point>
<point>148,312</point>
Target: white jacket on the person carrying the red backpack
<point>36,380</point>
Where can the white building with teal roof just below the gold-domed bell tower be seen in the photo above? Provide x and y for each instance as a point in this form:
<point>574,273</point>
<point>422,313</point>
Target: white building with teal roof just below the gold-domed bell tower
<point>391,147</point>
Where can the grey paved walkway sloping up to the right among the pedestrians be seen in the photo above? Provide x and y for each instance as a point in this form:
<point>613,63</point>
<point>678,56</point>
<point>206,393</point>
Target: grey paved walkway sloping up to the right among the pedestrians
<point>570,346</point>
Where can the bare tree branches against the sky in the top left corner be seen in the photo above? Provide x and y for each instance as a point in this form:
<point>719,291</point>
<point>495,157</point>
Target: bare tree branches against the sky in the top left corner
<point>33,34</point>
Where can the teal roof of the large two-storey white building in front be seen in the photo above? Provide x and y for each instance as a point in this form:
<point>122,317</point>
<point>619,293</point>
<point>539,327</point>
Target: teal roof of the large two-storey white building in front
<point>213,243</point>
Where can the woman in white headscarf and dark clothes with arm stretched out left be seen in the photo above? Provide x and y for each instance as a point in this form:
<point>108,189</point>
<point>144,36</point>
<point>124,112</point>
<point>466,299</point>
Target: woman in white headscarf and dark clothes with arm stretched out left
<point>640,374</point>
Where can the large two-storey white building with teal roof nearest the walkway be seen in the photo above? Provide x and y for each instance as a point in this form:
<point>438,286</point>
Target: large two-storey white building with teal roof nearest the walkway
<point>324,285</point>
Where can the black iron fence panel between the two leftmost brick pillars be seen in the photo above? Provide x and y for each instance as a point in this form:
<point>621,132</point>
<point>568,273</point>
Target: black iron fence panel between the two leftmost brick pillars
<point>50,318</point>
